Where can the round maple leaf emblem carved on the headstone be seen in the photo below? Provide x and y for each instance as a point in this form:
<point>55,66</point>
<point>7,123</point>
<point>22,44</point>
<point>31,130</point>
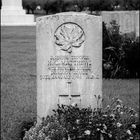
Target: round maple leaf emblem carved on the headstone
<point>69,35</point>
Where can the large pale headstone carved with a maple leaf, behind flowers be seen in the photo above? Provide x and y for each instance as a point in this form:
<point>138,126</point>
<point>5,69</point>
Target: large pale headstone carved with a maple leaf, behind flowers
<point>69,61</point>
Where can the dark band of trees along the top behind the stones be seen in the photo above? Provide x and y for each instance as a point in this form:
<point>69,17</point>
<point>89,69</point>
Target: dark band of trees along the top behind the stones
<point>56,6</point>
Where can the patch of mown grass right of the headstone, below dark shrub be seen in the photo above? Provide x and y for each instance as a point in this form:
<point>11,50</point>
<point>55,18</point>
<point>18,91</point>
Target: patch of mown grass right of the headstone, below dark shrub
<point>125,89</point>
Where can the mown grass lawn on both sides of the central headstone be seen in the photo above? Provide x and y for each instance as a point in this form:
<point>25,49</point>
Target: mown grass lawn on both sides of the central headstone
<point>18,81</point>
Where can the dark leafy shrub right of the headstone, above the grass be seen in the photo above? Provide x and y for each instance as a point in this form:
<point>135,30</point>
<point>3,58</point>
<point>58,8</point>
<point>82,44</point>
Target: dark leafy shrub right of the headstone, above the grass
<point>120,53</point>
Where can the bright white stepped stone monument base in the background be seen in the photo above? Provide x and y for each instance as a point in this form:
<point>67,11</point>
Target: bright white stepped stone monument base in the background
<point>12,13</point>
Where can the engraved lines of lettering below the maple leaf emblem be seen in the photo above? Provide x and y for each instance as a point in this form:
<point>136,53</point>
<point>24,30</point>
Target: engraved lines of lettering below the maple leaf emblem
<point>64,67</point>
